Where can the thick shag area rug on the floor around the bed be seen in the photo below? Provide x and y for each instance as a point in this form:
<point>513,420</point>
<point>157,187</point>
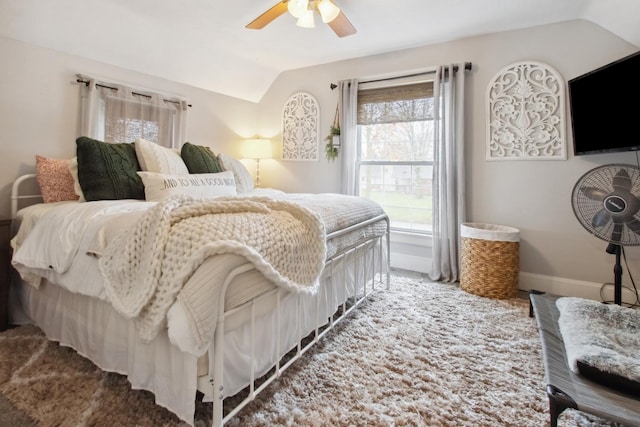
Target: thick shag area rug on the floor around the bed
<point>421,354</point>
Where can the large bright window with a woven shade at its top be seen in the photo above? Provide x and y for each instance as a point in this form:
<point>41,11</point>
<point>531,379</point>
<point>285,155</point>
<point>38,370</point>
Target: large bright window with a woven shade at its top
<point>395,152</point>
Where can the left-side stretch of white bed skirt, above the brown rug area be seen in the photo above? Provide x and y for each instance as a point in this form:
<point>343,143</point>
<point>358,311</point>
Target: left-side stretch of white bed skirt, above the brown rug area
<point>95,330</point>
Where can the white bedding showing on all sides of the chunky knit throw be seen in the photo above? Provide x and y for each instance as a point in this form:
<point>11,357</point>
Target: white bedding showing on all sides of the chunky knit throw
<point>69,257</point>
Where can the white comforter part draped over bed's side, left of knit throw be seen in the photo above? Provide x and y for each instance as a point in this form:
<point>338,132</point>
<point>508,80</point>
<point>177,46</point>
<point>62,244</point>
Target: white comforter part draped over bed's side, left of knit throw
<point>68,256</point>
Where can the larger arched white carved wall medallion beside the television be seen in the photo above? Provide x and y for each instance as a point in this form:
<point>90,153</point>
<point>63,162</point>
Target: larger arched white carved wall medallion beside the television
<point>525,113</point>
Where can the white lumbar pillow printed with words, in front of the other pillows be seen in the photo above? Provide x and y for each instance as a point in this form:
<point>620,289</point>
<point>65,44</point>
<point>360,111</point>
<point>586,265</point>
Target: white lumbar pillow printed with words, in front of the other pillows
<point>159,186</point>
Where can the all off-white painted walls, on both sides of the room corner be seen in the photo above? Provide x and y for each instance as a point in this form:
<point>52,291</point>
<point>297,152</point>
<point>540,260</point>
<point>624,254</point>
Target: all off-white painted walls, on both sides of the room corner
<point>38,111</point>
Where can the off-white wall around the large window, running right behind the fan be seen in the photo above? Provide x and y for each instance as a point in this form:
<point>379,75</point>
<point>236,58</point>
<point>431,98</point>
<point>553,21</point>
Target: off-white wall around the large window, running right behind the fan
<point>533,196</point>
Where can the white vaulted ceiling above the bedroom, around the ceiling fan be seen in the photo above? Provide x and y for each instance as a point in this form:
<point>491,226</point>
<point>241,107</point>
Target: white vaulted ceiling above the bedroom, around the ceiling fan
<point>204,43</point>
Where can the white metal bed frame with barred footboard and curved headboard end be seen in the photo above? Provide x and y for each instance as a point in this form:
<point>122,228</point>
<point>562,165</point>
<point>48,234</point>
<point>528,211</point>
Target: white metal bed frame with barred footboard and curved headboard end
<point>363,279</point>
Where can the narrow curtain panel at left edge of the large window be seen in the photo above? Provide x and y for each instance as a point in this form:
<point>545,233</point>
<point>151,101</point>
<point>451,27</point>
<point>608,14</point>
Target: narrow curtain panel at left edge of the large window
<point>348,110</point>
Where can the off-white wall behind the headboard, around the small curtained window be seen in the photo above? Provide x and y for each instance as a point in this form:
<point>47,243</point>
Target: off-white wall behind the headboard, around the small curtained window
<point>39,107</point>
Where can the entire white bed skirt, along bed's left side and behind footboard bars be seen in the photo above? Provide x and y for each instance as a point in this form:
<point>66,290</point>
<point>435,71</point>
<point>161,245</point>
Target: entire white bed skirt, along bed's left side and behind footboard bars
<point>95,330</point>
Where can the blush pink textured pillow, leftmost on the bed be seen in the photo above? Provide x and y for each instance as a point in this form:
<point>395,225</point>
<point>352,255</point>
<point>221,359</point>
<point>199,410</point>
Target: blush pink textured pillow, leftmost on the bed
<point>55,179</point>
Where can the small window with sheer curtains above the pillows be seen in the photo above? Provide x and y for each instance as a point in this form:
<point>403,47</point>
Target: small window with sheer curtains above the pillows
<point>117,113</point>
